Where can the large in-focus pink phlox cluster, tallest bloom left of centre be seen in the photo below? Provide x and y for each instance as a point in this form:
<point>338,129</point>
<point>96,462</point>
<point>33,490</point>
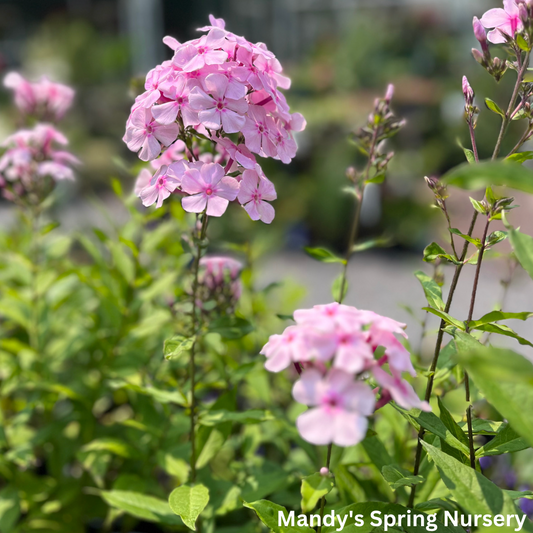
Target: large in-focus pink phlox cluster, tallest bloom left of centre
<point>225,89</point>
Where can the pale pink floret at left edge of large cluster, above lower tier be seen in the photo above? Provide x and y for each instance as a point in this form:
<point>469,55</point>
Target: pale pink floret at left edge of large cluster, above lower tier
<point>145,134</point>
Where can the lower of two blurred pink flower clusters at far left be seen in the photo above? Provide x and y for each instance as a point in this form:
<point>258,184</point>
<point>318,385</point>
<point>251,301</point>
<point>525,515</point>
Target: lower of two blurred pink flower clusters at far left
<point>34,152</point>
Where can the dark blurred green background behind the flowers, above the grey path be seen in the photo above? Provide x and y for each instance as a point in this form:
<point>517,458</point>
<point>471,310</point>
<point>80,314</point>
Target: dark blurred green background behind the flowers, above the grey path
<point>340,54</point>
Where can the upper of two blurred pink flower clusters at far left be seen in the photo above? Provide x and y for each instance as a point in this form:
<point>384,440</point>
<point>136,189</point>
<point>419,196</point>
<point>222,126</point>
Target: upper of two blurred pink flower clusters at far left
<point>44,99</point>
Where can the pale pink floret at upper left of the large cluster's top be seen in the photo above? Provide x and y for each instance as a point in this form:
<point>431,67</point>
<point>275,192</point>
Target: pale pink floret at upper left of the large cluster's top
<point>206,51</point>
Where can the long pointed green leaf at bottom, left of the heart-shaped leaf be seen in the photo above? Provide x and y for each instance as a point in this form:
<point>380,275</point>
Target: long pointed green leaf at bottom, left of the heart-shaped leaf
<point>141,506</point>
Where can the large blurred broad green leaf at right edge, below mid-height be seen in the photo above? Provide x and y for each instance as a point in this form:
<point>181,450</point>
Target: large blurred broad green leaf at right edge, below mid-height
<point>509,393</point>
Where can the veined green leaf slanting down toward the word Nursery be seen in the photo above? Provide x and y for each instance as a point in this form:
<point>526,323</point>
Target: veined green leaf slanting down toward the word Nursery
<point>475,493</point>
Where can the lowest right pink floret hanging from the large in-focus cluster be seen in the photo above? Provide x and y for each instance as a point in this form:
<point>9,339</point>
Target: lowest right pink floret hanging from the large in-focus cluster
<point>254,193</point>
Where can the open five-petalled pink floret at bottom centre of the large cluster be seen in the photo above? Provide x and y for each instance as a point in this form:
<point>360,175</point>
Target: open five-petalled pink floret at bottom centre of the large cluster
<point>211,190</point>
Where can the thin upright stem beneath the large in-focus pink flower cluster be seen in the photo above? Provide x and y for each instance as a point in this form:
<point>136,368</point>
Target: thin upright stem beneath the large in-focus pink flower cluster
<point>195,325</point>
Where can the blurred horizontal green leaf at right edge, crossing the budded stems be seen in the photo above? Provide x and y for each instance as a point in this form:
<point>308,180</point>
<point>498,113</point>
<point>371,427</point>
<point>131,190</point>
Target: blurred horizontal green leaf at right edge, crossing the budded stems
<point>482,175</point>
